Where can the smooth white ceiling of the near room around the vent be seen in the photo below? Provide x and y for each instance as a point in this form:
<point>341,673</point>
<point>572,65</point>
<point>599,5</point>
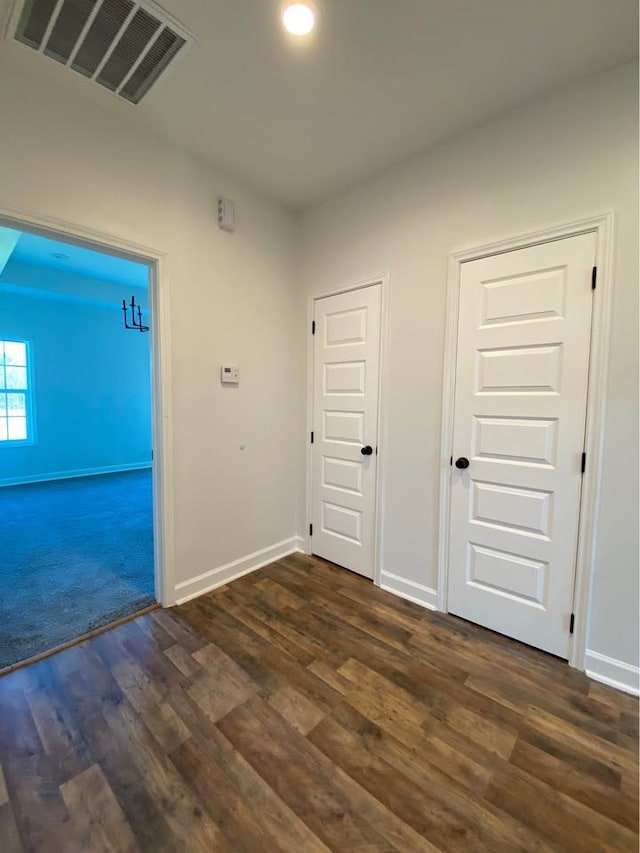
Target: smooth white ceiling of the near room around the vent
<point>381,81</point>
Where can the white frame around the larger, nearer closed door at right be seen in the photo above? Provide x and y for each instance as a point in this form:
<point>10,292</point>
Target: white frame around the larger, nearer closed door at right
<point>603,227</point>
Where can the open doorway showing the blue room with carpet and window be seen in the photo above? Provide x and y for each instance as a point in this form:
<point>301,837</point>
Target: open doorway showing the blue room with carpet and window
<point>76,448</point>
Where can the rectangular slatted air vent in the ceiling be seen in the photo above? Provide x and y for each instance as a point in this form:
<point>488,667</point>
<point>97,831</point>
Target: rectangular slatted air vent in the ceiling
<point>123,45</point>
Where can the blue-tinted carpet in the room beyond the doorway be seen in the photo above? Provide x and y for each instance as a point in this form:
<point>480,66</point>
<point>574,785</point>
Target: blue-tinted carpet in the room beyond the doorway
<point>74,555</point>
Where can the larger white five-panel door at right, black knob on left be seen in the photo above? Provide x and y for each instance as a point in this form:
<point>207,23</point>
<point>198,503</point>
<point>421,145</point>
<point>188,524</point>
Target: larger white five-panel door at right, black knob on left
<point>520,403</point>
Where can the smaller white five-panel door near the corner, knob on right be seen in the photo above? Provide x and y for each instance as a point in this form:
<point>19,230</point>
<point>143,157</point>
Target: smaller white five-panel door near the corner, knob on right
<point>345,427</point>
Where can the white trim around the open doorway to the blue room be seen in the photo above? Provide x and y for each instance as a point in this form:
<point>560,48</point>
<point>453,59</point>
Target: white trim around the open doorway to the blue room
<point>162,436</point>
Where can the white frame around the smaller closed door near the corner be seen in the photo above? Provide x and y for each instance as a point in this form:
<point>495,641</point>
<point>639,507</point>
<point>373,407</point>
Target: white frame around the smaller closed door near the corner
<point>383,383</point>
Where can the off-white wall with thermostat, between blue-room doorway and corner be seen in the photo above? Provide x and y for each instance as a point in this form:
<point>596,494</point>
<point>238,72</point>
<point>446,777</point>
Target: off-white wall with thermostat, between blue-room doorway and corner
<point>231,299</point>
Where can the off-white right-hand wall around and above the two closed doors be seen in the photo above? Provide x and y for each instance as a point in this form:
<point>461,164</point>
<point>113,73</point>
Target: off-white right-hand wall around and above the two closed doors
<point>561,159</point>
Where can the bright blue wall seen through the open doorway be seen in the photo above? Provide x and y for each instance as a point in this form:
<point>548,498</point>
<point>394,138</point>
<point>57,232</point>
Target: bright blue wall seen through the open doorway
<point>90,377</point>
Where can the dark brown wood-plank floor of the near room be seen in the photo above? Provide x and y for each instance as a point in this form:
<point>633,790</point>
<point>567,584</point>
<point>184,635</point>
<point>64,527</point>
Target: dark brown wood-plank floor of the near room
<point>302,709</point>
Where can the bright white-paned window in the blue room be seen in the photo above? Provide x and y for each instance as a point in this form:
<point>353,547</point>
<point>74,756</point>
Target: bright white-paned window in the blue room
<point>15,392</point>
